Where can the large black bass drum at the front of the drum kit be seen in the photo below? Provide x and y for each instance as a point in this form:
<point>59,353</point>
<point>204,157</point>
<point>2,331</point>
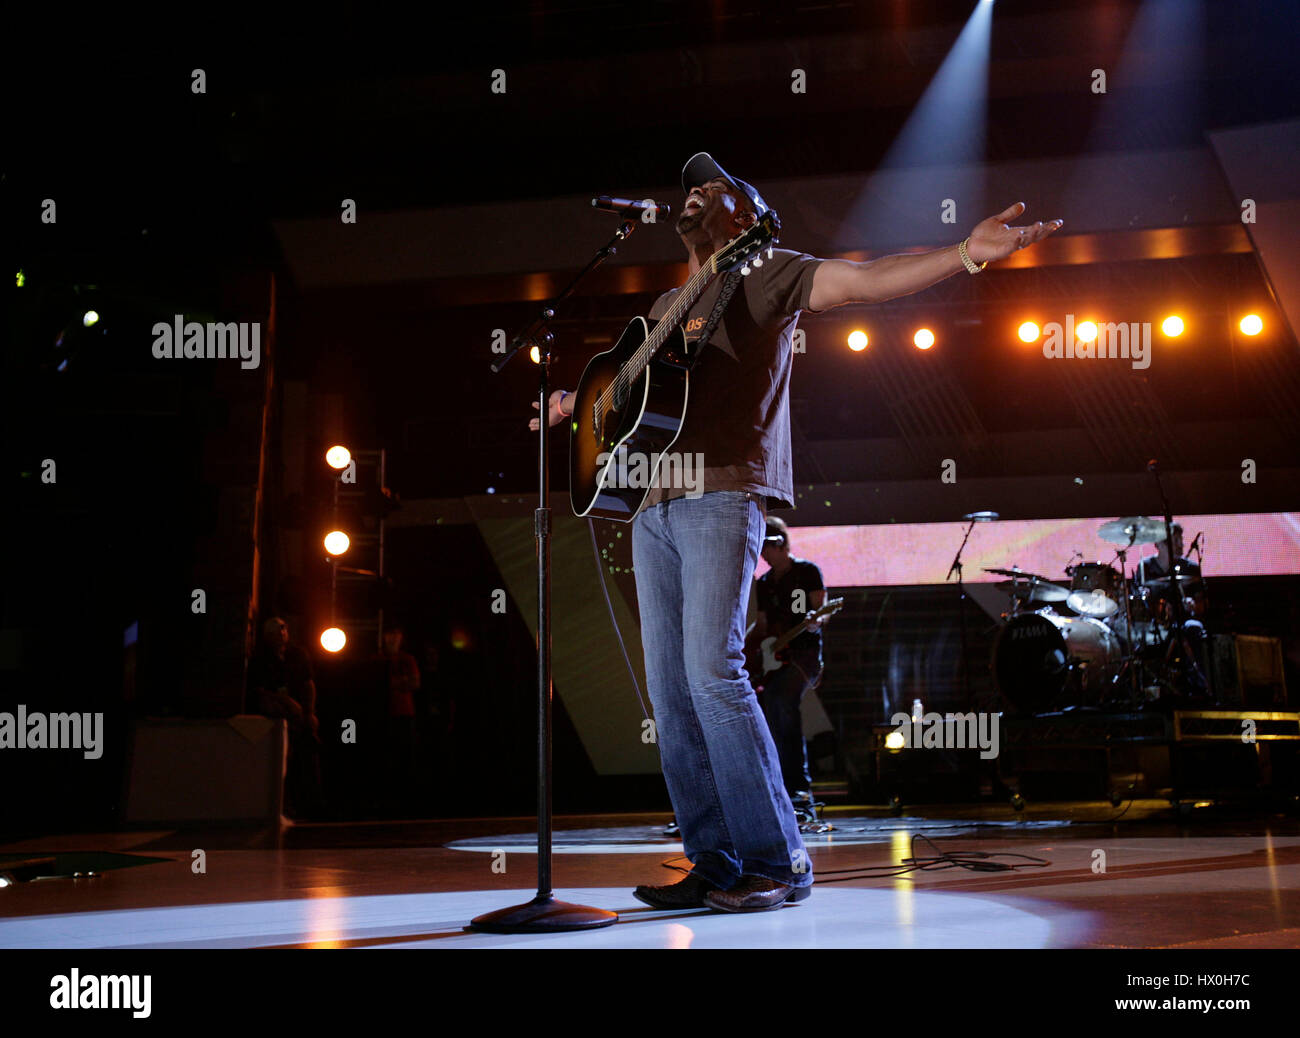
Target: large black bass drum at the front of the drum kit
<point>1045,663</point>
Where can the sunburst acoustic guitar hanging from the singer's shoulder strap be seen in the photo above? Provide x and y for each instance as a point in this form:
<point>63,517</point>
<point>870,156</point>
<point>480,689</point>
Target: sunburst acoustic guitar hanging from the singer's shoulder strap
<point>631,401</point>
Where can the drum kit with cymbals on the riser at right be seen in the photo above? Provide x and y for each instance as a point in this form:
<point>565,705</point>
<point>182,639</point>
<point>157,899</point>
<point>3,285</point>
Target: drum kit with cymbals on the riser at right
<point>1102,638</point>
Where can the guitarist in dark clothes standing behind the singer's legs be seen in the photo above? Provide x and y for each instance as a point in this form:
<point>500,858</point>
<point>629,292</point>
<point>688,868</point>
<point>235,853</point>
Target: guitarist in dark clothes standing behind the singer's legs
<point>781,607</point>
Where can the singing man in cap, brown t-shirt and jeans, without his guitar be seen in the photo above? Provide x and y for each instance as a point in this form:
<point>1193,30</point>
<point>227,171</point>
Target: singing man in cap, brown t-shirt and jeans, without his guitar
<point>695,548</point>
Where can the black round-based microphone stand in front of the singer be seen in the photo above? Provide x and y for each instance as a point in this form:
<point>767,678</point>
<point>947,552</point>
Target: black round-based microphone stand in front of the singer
<point>544,915</point>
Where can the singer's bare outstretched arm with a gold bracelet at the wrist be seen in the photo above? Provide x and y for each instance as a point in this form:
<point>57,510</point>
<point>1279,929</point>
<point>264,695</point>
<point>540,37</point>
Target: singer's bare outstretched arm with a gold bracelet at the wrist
<point>842,282</point>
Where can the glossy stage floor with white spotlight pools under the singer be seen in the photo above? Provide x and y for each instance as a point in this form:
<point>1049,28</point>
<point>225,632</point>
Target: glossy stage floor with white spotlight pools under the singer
<point>1129,883</point>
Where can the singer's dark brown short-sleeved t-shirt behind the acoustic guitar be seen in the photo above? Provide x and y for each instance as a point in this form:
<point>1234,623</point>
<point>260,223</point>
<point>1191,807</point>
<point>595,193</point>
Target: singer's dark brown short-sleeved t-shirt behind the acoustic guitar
<point>739,399</point>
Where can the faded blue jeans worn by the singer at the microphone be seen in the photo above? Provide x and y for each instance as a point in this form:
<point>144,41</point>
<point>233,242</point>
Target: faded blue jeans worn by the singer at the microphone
<point>695,561</point>
